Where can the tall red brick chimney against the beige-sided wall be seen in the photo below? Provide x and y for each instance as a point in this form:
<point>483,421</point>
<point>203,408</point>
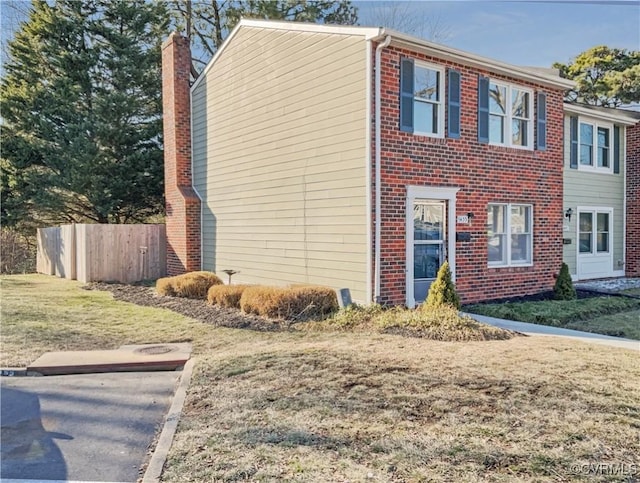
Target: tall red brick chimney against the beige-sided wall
<point>182,202</point>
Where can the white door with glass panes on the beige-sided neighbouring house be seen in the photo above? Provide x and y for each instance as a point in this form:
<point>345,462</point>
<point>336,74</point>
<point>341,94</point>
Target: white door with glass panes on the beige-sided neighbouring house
<point>595,247</point>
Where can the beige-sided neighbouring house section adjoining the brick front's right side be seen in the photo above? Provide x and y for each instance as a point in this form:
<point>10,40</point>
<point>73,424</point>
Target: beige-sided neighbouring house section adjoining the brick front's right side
<point>595,195</point>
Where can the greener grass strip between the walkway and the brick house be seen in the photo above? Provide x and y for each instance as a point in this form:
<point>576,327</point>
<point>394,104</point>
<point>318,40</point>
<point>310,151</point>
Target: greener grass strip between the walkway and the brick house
<point>616,316</point>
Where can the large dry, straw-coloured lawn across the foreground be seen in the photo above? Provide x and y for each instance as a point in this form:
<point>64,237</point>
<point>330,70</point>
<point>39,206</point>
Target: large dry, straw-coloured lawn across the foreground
<point>336,406</point>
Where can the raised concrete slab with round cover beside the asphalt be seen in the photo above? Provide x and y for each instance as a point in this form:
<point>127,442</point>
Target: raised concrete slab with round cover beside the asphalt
<point>148,357</point>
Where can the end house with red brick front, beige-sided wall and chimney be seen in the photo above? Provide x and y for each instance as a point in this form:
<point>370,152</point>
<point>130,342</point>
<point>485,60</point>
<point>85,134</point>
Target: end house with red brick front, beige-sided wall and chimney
<point>363,158</point>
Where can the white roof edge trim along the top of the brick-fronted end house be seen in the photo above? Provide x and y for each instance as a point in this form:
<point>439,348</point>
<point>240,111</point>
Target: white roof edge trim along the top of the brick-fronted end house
<point>415,43</point>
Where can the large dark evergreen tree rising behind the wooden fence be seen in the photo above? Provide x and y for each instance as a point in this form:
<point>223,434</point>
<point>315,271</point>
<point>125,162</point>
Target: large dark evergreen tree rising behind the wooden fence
<point>82,113</point>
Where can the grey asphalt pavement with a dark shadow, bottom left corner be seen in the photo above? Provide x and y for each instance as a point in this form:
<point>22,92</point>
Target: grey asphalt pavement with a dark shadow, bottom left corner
<point>87,427</point>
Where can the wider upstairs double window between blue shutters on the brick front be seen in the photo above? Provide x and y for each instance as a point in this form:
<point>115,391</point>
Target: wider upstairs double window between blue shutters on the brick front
<point>510,122</point>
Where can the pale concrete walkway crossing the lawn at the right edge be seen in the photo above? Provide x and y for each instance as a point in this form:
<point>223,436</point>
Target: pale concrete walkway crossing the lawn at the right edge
<point>545,330</point>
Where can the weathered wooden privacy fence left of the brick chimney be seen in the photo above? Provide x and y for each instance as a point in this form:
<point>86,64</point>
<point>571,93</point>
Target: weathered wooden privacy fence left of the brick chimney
<point>103,253</point>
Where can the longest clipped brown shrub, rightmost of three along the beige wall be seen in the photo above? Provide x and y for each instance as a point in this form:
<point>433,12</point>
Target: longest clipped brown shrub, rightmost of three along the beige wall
<point>302,302</point>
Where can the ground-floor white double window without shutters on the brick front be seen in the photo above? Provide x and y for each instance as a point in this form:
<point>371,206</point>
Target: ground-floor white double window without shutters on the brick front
<point>510,235</point>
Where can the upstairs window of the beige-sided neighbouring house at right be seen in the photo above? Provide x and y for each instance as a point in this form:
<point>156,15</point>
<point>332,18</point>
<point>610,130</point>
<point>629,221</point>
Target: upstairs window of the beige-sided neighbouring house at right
<point>593,143</point>
